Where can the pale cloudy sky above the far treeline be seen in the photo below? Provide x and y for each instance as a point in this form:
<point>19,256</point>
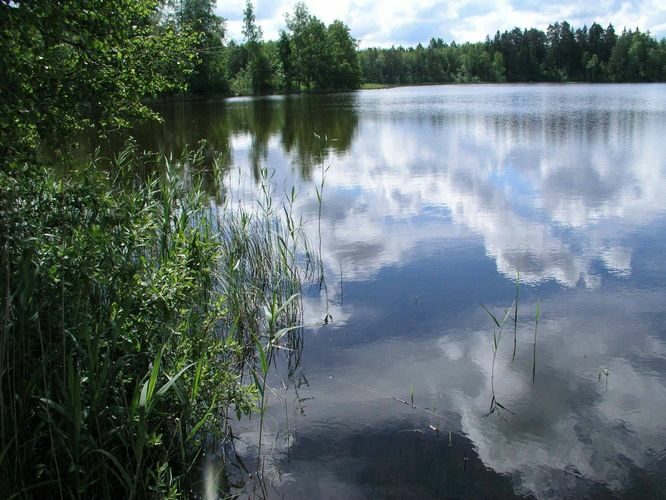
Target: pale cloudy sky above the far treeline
<point>382,23</point>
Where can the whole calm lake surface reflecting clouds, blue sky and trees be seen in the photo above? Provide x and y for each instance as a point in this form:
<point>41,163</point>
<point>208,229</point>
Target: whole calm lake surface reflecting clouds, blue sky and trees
<point>435,199</point>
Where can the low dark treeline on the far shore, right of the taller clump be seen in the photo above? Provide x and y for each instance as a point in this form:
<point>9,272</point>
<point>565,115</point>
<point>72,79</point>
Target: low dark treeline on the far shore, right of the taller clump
<point>560,54</point>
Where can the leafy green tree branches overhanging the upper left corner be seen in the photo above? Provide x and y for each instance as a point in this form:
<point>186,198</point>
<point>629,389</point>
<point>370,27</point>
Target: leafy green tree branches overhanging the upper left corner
<point>74,64</point>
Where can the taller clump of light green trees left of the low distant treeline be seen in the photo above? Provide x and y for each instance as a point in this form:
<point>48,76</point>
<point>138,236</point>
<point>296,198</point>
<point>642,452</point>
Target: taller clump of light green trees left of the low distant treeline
<point>307,56</point>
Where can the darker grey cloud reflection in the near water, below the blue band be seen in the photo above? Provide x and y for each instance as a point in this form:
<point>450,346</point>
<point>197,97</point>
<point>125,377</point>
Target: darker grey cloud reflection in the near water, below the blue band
<point>568,430</point>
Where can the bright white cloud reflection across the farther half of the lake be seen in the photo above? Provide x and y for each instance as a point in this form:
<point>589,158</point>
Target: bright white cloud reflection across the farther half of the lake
<point>549,196</point>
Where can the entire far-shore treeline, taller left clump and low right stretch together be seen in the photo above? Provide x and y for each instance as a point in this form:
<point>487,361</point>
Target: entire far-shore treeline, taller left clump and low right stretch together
<point>309,55</point>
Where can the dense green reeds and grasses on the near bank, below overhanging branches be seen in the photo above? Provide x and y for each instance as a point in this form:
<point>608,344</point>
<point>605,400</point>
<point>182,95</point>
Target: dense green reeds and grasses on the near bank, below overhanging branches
<point>130,311</point>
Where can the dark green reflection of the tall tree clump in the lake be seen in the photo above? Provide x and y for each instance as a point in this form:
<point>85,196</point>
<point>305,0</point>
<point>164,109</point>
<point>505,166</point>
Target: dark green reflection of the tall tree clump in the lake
<point>293,119</point>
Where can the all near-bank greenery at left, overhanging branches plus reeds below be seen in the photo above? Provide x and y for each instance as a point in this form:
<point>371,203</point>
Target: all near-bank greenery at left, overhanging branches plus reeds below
<point>128,307</point>
